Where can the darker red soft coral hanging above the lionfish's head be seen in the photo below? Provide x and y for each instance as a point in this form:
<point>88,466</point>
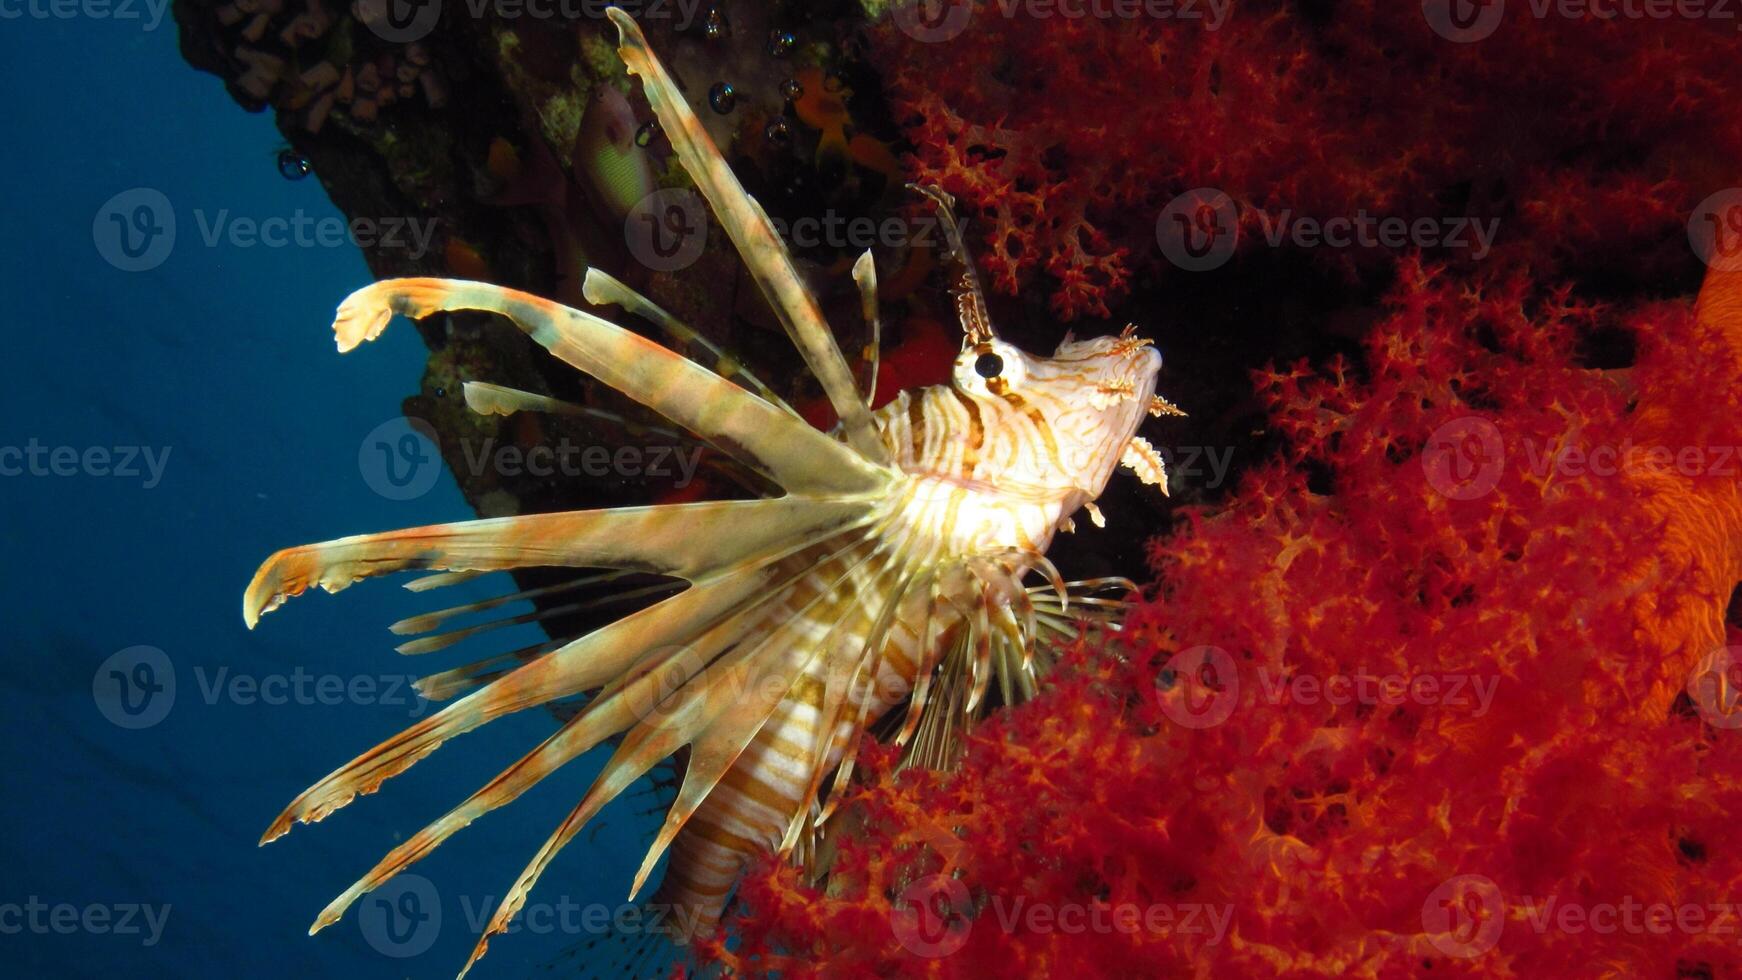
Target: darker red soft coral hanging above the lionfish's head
<point>1588,140</point>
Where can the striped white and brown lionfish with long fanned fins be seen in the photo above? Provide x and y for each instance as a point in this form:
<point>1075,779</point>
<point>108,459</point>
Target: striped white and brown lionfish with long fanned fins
<point>889,572</point>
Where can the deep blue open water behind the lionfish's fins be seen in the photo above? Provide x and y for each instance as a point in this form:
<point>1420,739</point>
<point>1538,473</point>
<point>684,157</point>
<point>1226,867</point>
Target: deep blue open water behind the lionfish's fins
<point>222,358</point>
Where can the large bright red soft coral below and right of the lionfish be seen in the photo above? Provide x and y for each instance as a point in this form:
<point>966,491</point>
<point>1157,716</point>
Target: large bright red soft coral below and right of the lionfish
<point>1234,789</point>
